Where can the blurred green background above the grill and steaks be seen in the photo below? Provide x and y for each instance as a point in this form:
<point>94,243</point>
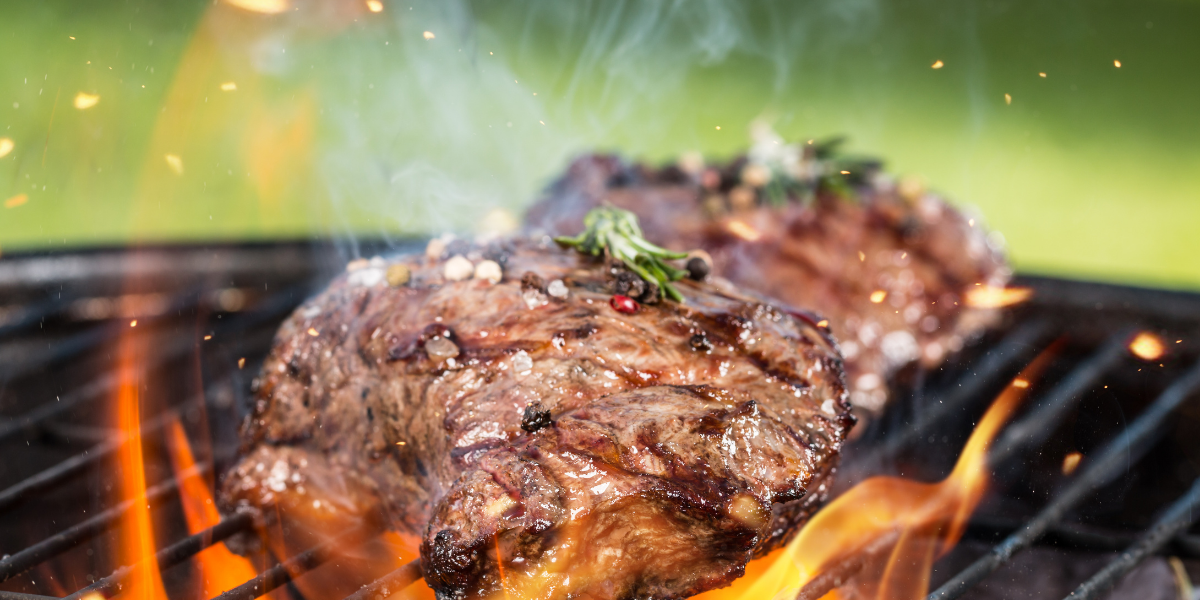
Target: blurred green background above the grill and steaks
<point>219,121</point>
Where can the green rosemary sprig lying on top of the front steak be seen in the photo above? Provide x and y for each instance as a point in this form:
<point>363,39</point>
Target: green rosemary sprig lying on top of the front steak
<point>613,231</point>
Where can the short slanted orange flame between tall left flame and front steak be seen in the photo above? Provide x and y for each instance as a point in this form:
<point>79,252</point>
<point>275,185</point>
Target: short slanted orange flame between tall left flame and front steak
<point>220,571</point>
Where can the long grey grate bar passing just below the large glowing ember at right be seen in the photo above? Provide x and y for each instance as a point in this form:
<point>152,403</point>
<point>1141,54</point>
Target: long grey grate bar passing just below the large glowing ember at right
<point>1100,472</point>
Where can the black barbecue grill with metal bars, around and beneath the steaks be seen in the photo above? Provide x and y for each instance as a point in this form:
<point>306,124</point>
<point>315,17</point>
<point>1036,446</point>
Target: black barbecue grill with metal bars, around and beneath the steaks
<point>211,313</point>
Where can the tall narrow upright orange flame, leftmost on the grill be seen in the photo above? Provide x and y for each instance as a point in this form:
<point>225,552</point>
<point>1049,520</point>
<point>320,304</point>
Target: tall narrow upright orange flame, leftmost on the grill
<point>137,545</point>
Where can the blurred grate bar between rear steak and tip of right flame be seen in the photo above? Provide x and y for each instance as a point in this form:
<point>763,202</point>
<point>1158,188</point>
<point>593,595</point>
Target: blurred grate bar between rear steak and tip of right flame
<point>1003,358</point>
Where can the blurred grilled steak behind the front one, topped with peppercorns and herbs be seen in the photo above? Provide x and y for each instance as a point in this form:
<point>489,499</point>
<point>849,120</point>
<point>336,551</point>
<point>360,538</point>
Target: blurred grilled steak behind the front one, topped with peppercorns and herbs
<point>887,267</point>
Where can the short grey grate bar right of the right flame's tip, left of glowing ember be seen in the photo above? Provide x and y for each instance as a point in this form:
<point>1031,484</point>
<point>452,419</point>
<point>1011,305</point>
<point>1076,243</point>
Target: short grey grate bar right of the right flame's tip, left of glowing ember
<point>1034,430</point>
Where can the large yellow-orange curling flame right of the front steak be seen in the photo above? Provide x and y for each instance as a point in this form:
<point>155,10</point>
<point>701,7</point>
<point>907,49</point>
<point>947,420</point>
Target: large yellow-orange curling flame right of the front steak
<point>880,539</point>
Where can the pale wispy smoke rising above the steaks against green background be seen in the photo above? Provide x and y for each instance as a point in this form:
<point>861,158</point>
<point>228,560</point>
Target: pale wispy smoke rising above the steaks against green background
<point>433,113</point>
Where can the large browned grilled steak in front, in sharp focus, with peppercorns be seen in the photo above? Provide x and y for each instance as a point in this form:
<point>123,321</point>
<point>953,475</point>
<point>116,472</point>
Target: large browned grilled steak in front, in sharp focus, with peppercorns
<point>539,442</point>
